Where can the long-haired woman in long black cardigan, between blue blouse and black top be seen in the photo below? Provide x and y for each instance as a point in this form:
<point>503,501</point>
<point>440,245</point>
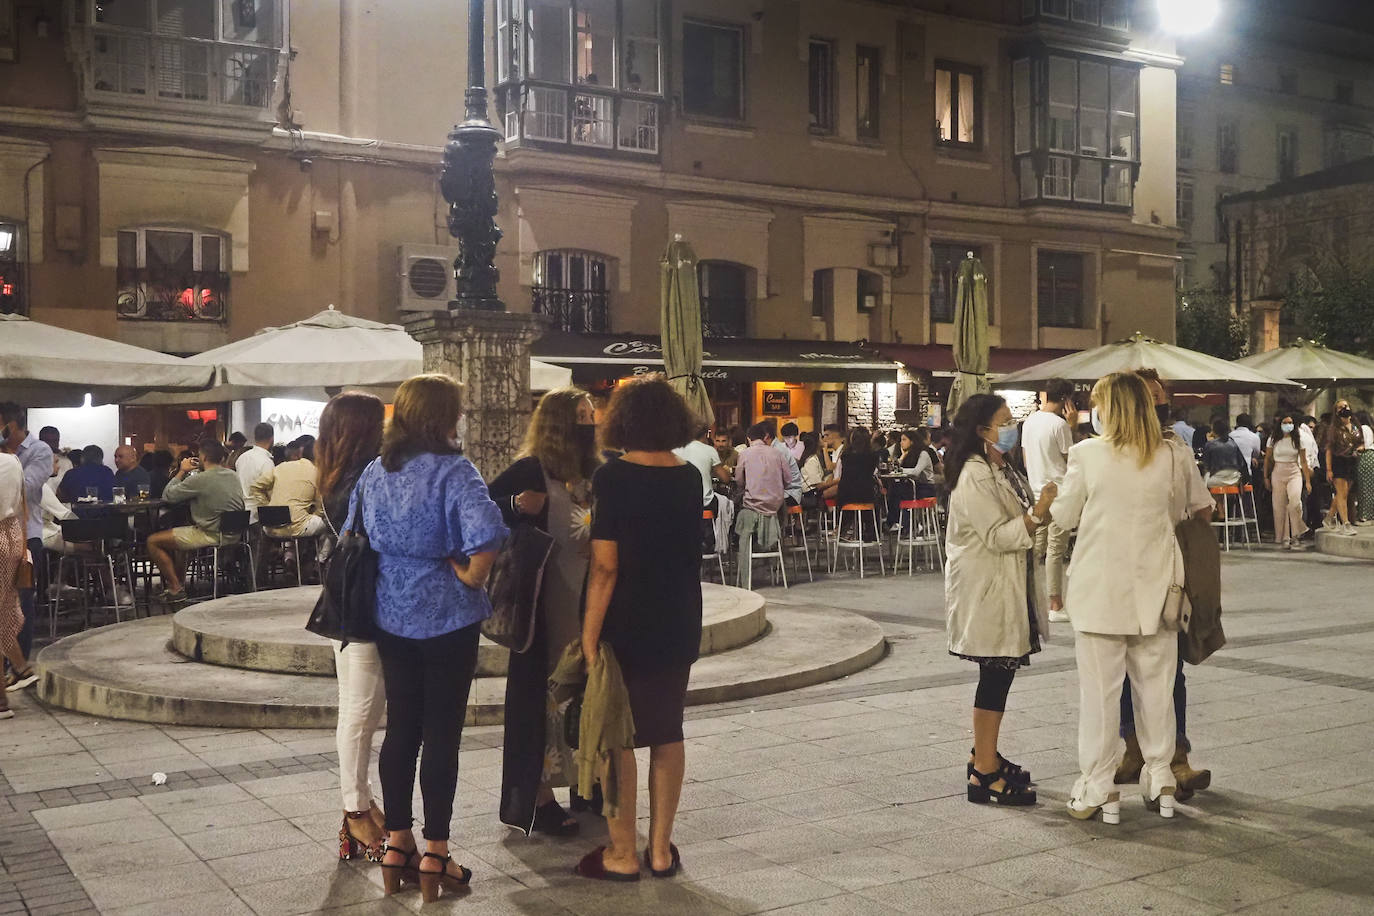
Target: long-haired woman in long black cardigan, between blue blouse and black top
<point>550,487</point>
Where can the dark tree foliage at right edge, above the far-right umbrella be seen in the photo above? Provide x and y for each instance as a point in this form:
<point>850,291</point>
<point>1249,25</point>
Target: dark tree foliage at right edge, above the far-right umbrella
<point>1335,308</point>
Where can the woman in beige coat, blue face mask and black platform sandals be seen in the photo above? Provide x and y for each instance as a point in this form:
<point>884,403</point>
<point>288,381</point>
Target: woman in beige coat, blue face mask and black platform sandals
<point>994,615</point>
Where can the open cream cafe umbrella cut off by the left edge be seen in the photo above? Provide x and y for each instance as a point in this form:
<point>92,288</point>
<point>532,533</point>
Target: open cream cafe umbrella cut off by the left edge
<point>46,366</point>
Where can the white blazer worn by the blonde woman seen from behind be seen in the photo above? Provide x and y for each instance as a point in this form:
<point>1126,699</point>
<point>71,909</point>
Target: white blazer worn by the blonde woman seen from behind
<point>1126,556</point>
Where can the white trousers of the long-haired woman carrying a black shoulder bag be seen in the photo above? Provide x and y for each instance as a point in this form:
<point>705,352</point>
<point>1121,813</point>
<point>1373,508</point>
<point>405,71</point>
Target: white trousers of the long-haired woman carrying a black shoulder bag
<point>362,707</point>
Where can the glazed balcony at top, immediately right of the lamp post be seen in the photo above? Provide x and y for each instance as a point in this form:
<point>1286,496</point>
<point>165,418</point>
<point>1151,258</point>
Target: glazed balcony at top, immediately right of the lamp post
<point>581,73</point>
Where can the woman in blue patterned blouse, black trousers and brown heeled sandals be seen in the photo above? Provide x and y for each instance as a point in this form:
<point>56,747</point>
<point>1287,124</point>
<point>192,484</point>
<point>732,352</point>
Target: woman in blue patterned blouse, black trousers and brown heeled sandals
<point>436,532</point>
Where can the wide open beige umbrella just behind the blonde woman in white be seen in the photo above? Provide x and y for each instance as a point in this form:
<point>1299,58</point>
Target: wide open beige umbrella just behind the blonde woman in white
<point>1186,370</point>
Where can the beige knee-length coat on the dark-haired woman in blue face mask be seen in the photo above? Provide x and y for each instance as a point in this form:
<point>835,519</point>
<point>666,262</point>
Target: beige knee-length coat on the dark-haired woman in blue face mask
<point>986,575</point>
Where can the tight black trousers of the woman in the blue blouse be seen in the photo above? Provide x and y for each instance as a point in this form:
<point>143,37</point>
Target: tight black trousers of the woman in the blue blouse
<point>428,683</point>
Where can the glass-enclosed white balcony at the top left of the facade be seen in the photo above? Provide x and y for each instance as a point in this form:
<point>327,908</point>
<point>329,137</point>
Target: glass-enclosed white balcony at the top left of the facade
<point>192,57</point>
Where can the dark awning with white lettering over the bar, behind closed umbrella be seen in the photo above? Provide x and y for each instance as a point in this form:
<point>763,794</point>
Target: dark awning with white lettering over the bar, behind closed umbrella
<point>613,356</point>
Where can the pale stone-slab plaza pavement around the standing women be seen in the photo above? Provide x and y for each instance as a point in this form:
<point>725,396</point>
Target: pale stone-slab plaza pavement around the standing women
<point>840,799</point>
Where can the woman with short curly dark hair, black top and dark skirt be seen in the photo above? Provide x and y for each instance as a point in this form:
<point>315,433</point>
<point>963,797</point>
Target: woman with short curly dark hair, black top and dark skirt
<point>644,599</point>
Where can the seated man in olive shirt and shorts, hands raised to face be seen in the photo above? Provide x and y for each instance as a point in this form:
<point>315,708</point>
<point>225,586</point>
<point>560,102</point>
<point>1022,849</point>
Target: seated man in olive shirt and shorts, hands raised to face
<point>211,490</point>
